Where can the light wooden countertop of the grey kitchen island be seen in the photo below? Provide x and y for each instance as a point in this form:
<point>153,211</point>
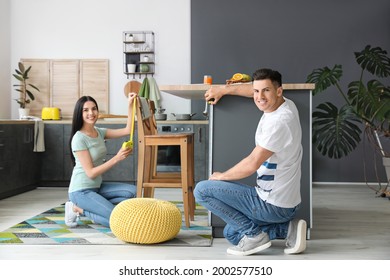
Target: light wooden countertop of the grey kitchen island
<point>197,91</point>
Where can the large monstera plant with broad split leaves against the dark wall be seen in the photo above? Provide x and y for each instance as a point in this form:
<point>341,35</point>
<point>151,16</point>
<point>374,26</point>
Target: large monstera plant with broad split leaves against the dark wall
<point>337,131</point>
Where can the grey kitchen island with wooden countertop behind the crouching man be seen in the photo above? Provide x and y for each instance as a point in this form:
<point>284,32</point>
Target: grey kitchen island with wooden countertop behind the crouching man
<point>232,125</point>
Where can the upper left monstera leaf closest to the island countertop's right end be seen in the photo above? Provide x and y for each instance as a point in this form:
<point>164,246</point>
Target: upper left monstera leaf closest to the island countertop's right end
<point>324,77</point>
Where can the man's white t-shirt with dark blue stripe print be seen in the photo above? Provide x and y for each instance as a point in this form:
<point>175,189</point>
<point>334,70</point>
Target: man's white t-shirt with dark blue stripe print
<point>279,178</point>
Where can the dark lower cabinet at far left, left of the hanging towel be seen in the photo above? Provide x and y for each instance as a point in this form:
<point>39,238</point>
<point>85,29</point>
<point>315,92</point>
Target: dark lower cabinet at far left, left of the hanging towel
<point>19,165</point>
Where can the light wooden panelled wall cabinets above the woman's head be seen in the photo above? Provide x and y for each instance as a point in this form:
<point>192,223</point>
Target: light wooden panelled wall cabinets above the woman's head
<point>62,81</point>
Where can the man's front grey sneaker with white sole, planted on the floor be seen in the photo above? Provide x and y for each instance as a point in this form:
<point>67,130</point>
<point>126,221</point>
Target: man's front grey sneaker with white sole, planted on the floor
<point>250,245</point>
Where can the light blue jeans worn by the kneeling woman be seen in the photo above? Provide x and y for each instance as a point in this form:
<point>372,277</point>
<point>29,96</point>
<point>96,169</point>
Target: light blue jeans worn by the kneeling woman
<point>98,203</point>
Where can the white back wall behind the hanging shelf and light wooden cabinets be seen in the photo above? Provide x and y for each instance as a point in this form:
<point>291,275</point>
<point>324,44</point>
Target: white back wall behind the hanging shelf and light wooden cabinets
<point>93,29</point>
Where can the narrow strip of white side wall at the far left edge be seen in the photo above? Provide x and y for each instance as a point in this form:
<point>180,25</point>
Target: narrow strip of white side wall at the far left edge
<point>5,71</point>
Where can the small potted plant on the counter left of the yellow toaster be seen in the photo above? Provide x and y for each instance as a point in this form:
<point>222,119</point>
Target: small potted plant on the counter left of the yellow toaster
<point>24,89</point>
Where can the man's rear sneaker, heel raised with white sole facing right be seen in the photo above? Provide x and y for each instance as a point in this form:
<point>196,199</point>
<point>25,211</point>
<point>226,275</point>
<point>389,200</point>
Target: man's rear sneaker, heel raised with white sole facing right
<point>296,237</point>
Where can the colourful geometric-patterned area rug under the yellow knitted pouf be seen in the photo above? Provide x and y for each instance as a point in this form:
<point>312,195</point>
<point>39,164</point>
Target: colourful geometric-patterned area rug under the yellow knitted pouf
<point>48,228</point>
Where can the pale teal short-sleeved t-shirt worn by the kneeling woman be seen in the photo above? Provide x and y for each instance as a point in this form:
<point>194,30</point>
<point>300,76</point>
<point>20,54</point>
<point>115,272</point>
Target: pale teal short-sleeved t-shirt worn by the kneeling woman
<point>97,149</point>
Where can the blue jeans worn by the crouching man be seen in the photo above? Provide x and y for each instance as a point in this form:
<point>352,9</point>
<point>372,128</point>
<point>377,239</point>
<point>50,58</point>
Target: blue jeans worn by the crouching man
<point>243,211</point>
